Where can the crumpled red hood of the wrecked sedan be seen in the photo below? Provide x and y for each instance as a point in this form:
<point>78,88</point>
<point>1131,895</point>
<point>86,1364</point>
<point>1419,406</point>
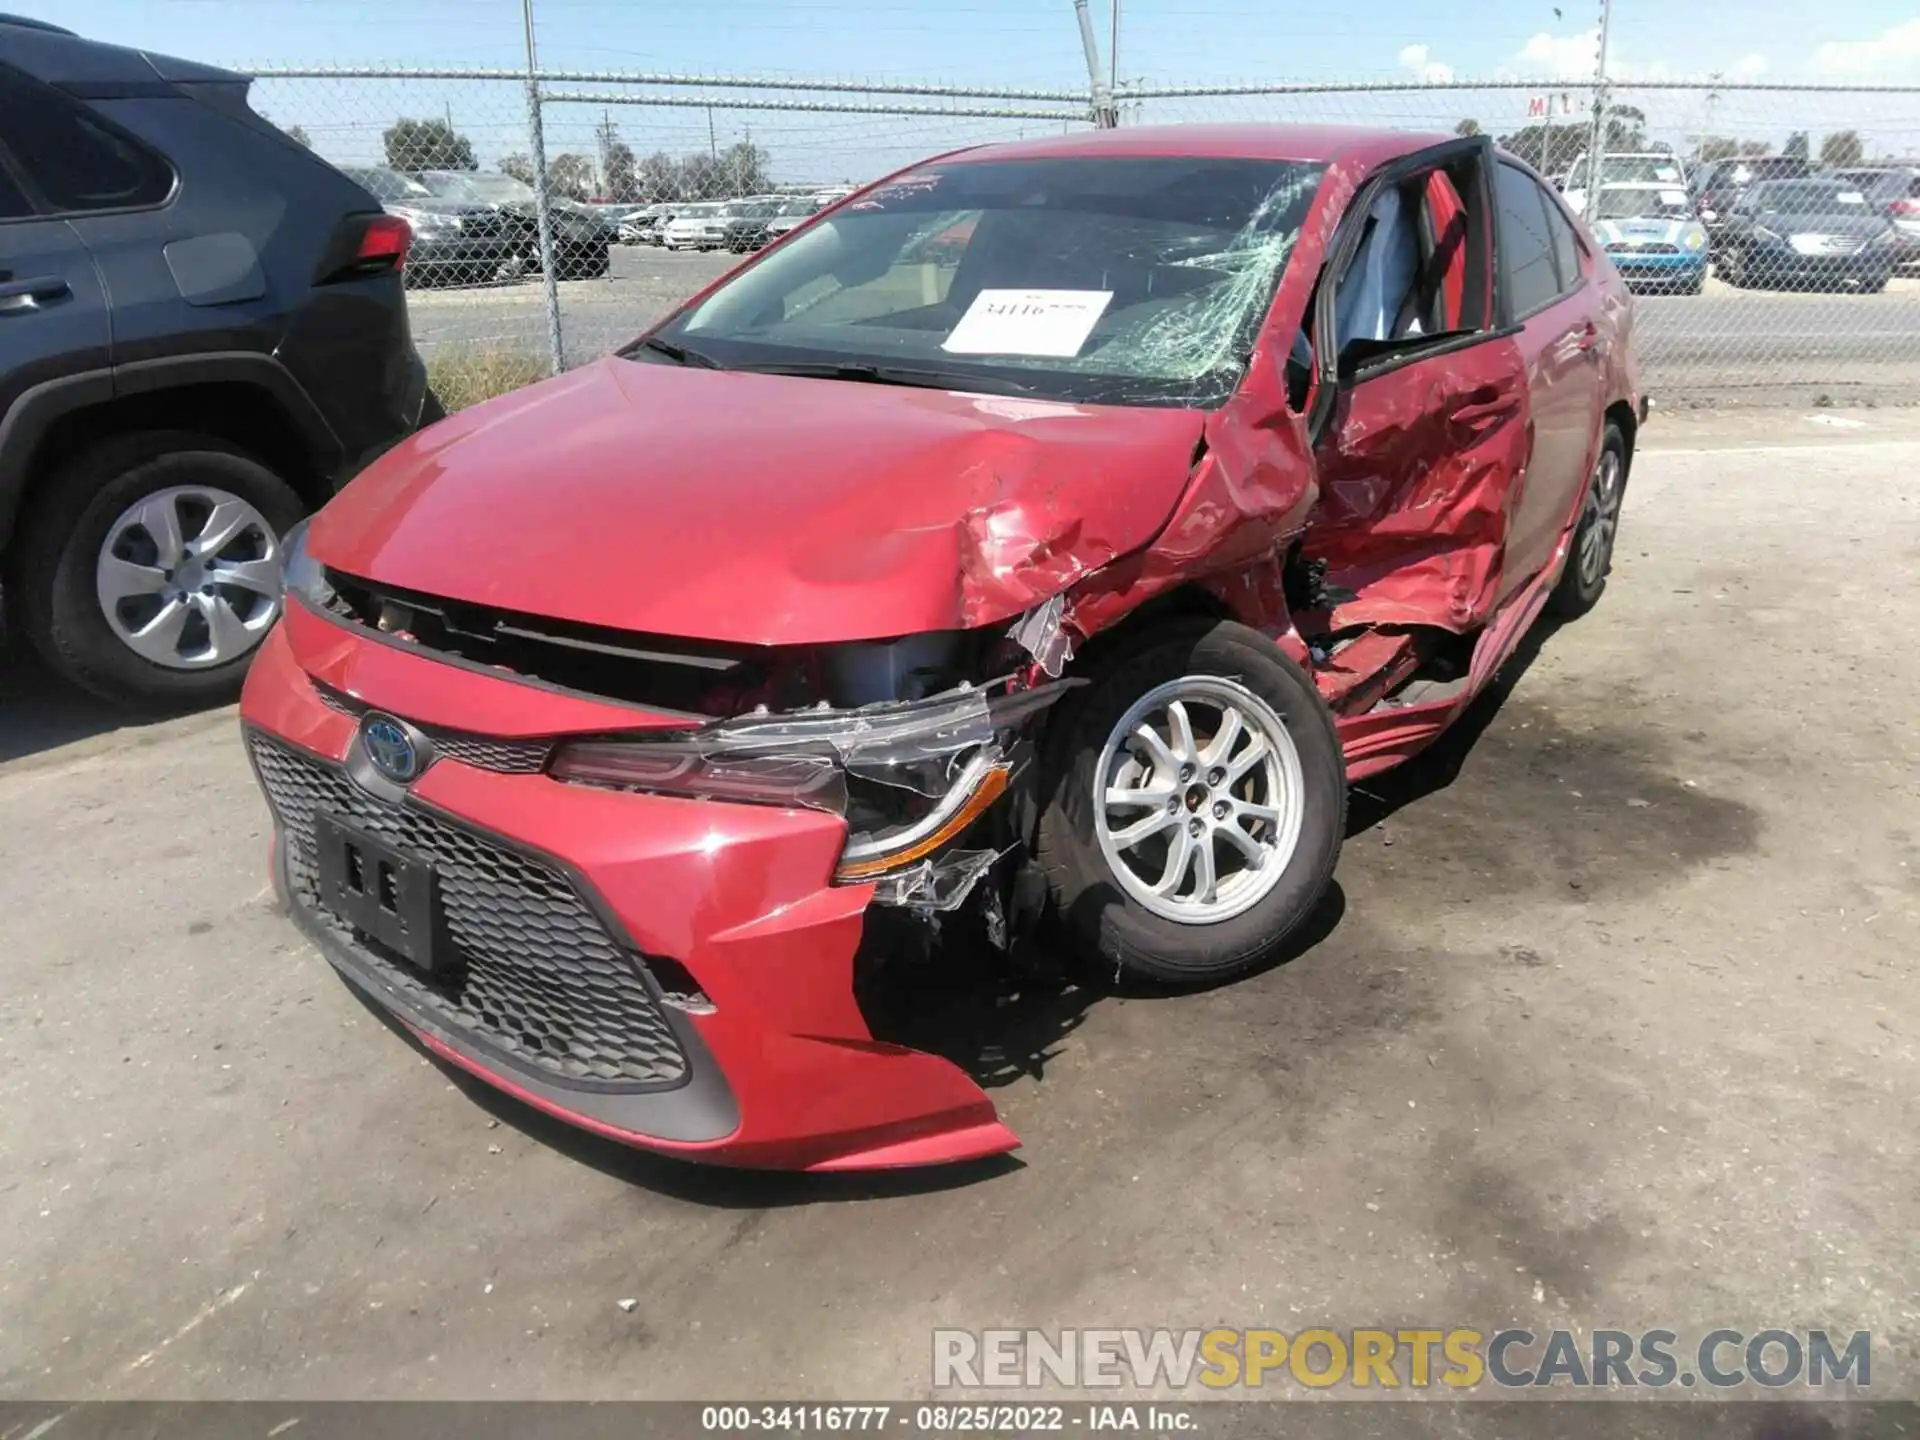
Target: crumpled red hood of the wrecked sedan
<point>756,508</point>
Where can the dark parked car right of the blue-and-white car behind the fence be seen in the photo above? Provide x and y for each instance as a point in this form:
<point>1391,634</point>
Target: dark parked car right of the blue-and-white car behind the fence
<point>1808,233</point>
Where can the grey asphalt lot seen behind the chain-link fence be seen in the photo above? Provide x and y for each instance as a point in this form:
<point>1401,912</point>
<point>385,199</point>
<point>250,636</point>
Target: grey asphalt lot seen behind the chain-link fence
<point>1721,348</point>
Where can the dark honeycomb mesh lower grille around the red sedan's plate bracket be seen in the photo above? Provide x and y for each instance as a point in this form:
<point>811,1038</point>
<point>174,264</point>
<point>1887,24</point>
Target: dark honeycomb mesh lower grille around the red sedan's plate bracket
<point>540,978</point>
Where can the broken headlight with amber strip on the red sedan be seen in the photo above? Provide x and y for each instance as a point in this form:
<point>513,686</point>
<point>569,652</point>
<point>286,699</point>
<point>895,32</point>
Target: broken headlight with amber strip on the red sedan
<point>907,777</point>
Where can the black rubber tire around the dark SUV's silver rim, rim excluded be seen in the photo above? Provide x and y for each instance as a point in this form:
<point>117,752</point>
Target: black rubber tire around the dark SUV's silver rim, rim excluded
<point>68,527</point>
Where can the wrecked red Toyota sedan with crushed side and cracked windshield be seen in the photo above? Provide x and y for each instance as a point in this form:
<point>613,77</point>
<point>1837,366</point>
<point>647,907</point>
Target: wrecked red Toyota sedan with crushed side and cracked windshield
<point>1047,533</point>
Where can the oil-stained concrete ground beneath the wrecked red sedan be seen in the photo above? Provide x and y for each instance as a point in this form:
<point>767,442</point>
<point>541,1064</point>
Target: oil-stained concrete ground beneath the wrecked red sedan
<point>1612,1022</point>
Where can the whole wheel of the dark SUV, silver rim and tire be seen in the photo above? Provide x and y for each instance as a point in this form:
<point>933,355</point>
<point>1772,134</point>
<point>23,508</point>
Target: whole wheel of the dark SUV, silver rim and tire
<point>151,567</point>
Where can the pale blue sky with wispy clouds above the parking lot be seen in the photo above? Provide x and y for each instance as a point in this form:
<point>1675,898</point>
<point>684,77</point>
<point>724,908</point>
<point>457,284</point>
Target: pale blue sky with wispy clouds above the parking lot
<point>1028,43</point>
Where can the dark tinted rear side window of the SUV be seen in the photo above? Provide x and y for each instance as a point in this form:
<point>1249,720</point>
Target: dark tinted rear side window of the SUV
<point>74,158</point>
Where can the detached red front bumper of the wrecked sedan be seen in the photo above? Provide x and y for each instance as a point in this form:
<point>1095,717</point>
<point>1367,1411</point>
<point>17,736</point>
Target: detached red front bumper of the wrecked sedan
<point>780,1068</point>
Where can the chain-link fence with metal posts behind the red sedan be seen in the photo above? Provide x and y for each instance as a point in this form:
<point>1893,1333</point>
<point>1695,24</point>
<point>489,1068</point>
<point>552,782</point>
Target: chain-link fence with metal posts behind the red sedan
<point>1775,229</point>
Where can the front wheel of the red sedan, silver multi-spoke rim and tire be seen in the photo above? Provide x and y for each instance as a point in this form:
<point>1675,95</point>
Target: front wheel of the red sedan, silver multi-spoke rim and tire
<point>1195,807</point>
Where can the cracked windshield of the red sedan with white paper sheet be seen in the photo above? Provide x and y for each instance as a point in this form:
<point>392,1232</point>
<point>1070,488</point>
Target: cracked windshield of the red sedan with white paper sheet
<point>1136,281</point>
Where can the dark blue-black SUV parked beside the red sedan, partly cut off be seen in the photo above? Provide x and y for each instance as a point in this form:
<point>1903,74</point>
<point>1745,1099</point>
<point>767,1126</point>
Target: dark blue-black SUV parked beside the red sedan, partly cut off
<point>203,335</point>
